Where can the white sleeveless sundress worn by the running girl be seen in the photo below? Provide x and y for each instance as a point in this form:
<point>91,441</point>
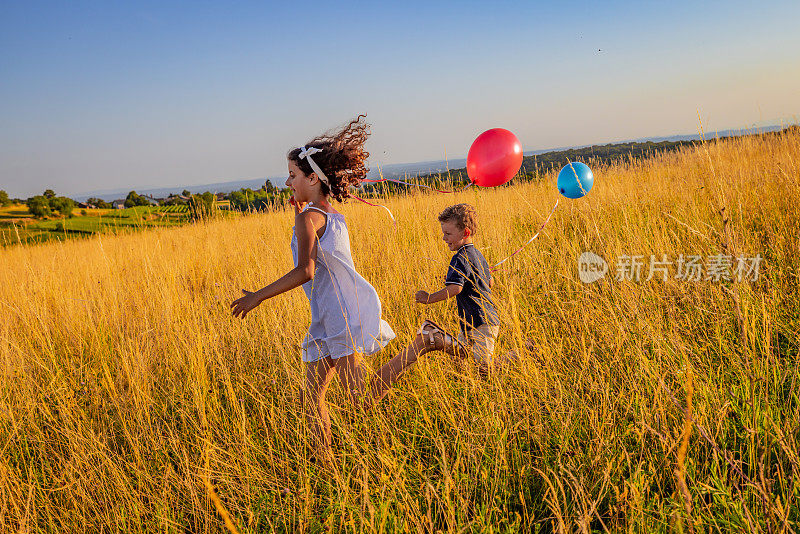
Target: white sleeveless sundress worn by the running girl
<point>345,308</point>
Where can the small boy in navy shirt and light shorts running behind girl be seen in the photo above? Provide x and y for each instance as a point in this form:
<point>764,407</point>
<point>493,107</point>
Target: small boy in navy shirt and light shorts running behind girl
<point>469,279</point>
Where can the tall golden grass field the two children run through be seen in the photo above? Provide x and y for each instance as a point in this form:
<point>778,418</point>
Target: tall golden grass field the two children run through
<point>132,400</point>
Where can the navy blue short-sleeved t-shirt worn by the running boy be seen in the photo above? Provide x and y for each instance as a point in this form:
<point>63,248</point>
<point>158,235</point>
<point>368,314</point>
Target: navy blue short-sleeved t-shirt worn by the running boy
<point>469,269</point>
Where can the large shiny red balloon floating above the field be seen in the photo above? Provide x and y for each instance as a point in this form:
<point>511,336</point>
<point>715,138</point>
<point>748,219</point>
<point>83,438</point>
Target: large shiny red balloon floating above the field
<point>494,158</point>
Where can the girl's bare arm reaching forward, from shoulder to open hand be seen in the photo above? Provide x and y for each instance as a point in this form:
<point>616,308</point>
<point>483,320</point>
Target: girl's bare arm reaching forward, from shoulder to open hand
<point>306,225</point>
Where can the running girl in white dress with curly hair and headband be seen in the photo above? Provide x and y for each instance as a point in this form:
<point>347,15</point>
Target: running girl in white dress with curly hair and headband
<point>345,308</point>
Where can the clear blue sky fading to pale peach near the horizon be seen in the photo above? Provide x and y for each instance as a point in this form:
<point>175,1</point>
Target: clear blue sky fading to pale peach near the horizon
<point>106,95</point>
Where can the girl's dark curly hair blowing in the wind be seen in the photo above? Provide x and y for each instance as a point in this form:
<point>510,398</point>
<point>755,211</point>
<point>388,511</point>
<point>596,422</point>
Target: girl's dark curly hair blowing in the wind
<point>342,158</point>
